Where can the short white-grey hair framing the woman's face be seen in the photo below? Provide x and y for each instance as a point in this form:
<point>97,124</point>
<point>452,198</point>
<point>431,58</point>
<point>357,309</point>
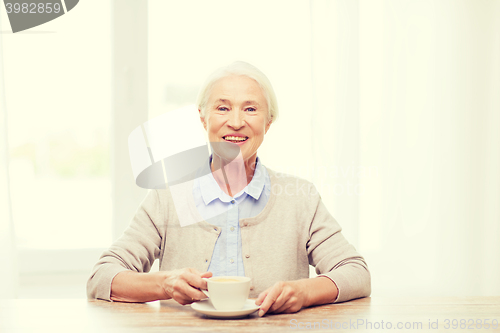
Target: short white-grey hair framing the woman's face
<point>244,69</point>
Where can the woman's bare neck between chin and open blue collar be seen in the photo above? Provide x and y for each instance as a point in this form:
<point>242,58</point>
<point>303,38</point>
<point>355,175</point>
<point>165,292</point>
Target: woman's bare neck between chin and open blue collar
<point>233,176</point>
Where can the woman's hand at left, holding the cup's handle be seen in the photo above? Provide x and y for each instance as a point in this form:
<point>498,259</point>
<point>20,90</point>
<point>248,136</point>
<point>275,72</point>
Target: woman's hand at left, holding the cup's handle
<point>184,285</point>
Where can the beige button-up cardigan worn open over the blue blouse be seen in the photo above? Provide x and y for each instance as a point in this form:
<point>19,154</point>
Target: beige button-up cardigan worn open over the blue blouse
<point>293,231</point>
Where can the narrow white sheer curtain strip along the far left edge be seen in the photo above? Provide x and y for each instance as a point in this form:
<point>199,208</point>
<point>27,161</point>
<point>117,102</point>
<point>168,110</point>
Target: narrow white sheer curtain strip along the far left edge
<point>8,277</point>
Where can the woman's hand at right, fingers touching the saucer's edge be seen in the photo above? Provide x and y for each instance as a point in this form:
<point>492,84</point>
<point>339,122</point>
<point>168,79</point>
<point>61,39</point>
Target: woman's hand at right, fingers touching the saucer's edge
<point>283,297</point>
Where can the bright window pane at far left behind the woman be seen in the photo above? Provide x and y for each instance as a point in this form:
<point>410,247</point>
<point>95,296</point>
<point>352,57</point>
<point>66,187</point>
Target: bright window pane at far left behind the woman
<point>58,95</point>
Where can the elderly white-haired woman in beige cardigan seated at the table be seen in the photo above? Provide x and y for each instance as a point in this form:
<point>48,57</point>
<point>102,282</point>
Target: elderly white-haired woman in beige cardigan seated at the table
<point>256,222</point>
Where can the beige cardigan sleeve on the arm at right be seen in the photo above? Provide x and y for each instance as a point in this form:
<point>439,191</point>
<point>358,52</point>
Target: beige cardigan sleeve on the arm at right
<point>333,257</point>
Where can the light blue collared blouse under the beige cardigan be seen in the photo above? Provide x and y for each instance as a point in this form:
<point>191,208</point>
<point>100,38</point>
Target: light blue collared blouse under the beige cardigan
<point>221,210</point>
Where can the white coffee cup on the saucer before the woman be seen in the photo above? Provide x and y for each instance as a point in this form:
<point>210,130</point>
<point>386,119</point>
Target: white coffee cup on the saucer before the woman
<point>228,292</point>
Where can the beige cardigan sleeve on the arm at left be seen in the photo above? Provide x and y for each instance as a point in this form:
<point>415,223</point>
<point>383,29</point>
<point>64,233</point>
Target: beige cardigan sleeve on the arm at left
<point>135,250</point>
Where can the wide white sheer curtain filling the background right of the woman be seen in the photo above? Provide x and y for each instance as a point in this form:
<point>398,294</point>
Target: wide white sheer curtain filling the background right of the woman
<point>405,123</point>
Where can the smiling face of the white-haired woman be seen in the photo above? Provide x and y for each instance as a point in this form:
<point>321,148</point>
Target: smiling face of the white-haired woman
<point>237,112</point>
